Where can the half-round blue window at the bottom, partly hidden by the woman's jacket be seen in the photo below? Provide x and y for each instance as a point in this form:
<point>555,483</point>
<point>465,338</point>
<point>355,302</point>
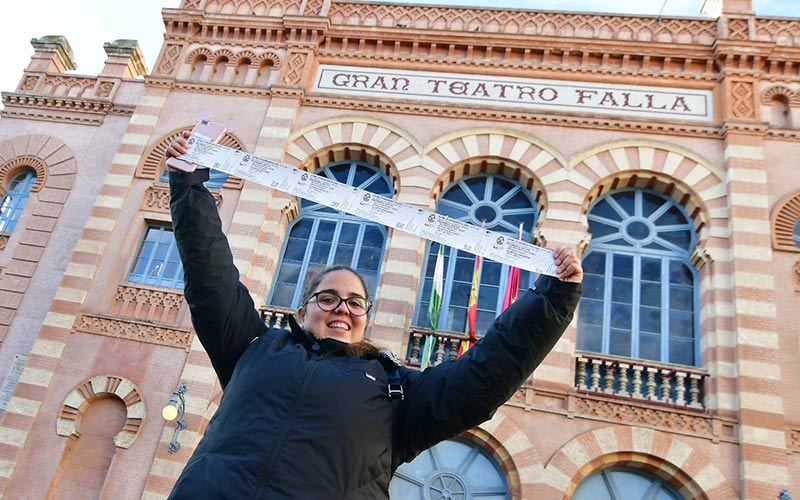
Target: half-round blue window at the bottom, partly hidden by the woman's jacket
<point>456,469</point>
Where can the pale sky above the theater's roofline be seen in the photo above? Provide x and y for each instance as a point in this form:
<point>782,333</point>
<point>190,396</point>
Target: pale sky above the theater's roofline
<point>88,24</point>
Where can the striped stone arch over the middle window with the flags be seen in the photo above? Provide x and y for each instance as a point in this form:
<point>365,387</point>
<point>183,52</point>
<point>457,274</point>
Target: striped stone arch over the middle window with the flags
<point>526,159</point>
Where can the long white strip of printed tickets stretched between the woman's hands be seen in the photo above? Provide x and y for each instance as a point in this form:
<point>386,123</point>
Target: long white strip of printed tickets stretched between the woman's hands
<point>370,206</point>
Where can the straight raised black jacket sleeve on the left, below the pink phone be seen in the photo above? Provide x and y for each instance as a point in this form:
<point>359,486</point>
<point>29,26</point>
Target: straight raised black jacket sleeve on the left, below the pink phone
<point>223,313</point>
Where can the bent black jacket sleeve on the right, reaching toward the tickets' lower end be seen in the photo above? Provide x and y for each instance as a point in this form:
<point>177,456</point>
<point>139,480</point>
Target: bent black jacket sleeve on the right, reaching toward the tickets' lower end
<point>455,396</point>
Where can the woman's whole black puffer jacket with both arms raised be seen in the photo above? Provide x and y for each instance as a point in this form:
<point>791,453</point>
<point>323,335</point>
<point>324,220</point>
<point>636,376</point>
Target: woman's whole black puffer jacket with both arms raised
<point>302,420</point>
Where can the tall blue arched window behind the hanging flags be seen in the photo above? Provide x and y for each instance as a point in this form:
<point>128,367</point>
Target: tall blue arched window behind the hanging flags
<point>504,205</point>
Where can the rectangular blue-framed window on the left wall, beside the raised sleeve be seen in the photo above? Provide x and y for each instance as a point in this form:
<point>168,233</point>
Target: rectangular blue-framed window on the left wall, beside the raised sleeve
<point>157,261</point>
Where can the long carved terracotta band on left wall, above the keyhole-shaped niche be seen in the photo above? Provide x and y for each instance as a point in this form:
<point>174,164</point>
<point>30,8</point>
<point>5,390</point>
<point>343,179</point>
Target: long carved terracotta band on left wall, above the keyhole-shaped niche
<point>139,331</point>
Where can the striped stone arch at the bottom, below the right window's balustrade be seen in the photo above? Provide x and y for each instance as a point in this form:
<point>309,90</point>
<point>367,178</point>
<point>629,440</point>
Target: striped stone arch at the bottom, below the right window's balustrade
<point>687,469</point>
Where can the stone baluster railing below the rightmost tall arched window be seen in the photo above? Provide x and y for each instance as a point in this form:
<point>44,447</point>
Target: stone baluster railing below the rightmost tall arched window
<point>640,380</point>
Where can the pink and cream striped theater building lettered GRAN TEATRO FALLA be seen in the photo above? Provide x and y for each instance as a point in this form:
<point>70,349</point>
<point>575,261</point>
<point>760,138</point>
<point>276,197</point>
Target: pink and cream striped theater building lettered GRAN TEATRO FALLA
<point>665,149</point>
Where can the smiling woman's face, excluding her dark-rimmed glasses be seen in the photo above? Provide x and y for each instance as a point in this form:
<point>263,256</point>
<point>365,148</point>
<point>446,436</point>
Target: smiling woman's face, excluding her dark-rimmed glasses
<point>338,323</point>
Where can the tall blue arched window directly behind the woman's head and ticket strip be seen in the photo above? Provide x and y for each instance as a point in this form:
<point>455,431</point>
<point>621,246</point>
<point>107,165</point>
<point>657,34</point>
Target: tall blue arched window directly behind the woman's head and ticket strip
<point>322,237</point>
